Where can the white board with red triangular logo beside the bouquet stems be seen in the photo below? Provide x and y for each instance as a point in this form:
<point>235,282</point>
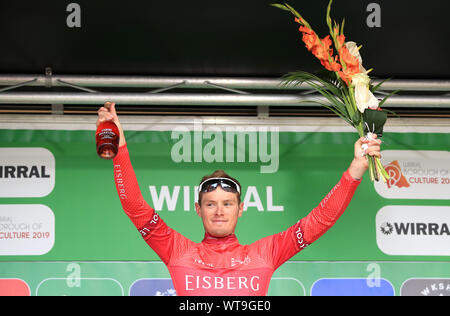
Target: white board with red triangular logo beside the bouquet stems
<point>416,175</point>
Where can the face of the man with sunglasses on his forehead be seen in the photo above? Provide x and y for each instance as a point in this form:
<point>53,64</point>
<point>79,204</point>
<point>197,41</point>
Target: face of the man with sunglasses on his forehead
<point>219,211</point>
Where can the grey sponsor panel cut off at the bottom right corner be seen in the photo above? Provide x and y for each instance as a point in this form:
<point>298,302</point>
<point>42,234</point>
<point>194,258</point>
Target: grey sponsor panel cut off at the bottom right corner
<point>426,287</point>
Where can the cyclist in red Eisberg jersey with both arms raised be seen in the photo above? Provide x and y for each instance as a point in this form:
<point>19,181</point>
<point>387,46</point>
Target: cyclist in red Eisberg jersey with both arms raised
<point>220,265</point>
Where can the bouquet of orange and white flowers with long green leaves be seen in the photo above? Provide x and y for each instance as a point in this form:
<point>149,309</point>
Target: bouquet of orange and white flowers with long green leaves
<point>345,84</point>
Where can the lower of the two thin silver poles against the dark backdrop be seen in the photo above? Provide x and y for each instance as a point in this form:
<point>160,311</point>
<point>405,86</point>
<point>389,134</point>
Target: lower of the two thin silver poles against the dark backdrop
<point>200,99</point>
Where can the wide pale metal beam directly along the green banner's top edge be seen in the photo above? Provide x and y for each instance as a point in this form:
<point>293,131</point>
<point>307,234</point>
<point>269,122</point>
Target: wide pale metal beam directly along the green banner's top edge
<point>171,122</point>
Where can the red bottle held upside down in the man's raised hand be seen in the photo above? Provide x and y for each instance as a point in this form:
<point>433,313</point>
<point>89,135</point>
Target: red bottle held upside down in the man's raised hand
<point>107,138</point>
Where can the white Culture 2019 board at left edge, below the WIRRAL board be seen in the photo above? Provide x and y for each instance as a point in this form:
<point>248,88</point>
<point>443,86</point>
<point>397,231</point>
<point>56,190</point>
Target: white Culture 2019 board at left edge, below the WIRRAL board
<point>26,229</point>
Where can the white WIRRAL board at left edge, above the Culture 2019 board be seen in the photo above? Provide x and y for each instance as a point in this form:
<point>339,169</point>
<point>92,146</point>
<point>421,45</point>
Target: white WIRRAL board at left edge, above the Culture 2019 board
<point>26,172</point>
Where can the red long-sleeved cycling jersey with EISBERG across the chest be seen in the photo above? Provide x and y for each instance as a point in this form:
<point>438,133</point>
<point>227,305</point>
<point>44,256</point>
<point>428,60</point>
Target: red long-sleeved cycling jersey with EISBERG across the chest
<point>222,266</point>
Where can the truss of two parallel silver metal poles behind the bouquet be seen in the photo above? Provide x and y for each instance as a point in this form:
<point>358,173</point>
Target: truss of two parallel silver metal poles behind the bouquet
<point>436,92</point>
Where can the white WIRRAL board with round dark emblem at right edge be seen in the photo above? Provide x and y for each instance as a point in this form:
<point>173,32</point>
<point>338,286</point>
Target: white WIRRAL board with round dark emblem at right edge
<point>414,230</point>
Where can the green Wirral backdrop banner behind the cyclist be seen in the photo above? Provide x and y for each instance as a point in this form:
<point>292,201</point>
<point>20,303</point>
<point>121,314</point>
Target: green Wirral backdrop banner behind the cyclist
<point>58,200</point>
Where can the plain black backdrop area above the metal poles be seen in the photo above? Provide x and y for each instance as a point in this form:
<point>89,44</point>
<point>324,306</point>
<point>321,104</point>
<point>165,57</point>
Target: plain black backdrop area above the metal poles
<point>217,38</point>
